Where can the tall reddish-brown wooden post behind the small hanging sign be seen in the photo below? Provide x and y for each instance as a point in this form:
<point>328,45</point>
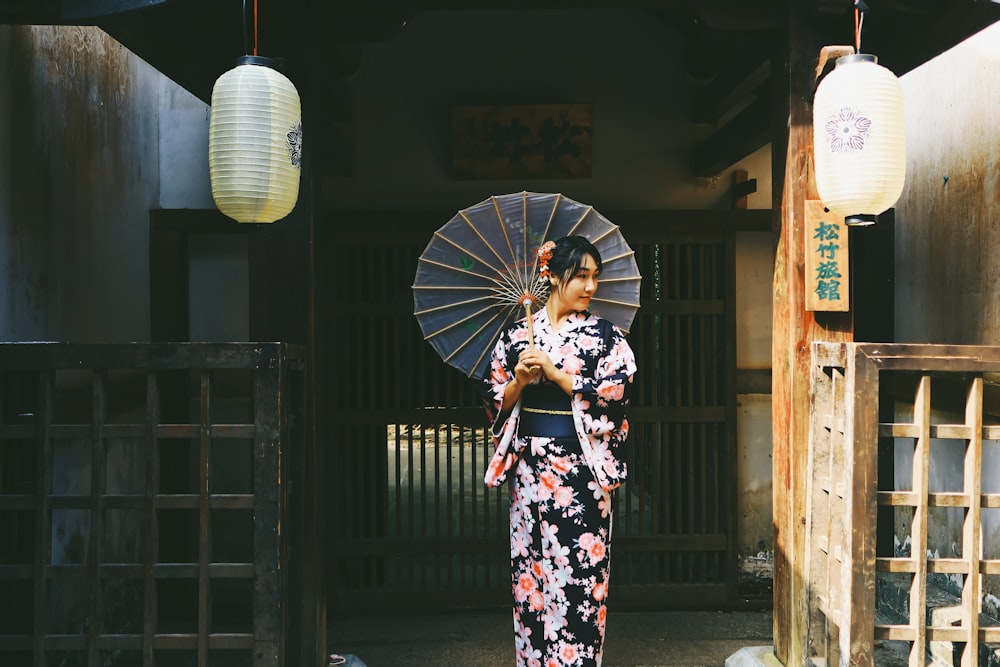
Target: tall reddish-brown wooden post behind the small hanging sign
<point>795,329</point>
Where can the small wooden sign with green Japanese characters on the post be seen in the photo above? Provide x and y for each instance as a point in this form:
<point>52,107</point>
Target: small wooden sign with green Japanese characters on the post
<point>827,267</point>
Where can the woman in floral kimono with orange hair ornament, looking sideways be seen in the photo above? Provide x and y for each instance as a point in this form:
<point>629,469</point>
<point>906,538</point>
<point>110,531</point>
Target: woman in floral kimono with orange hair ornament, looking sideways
<point>557,409</point>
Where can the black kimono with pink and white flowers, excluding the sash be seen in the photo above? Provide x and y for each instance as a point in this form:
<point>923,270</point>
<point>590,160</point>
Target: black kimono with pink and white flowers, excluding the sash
<point>560,503</point>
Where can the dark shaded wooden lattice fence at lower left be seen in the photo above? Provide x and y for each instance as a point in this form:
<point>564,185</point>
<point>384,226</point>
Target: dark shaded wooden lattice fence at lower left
<point>149,506</point>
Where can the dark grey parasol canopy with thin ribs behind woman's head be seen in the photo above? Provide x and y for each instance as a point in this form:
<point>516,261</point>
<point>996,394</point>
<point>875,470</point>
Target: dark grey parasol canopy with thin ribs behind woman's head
<point>480,269</point>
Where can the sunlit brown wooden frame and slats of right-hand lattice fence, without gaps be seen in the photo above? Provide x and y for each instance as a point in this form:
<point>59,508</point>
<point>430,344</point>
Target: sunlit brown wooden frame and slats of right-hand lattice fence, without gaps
<point>842,578</point>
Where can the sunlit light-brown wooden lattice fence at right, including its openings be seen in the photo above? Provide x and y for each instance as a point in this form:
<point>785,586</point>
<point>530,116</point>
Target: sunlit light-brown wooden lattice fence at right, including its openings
<point>944,589</point>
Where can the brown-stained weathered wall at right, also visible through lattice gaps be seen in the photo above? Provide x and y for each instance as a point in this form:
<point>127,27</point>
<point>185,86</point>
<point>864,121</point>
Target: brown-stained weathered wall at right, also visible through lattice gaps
<point>947,230</point>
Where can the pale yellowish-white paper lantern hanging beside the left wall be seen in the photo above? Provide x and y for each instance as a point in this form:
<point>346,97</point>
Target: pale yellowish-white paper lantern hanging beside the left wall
<point>255,142</point>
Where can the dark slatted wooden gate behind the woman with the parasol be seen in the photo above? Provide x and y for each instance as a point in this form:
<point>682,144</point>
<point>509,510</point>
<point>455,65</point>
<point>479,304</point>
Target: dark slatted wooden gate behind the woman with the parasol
<point>410,524</point>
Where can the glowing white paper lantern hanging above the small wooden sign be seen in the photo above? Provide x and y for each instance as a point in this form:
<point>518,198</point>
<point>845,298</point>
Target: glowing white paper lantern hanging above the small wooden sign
<point>859,139</point>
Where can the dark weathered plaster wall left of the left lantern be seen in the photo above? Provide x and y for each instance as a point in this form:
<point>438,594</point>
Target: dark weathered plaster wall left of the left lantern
<point>95,137</point>
